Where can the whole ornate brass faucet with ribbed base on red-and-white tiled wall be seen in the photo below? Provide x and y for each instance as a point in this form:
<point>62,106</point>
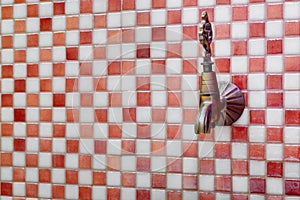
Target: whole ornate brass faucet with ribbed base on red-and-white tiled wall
<point>215,107</point>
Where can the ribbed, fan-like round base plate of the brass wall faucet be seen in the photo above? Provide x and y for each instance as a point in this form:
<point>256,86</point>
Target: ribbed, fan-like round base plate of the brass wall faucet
<point>233,103</point>
